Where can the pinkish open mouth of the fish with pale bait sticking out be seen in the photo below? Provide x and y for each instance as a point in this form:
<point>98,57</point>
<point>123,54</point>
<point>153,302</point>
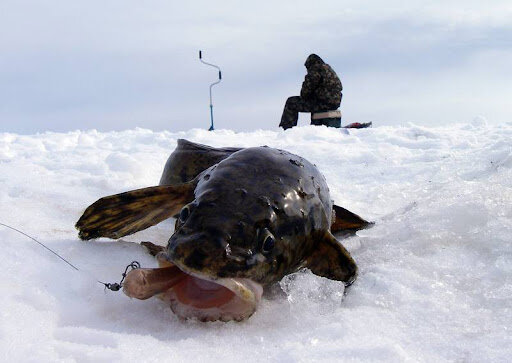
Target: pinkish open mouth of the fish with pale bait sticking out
<point>192,295</point>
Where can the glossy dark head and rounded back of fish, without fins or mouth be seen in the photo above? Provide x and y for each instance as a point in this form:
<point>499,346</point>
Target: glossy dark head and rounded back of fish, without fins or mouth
<point>249,197</point>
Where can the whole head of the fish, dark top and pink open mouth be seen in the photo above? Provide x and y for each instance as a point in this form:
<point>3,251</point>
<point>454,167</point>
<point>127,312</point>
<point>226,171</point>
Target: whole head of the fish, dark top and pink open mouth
<point>227,255</point>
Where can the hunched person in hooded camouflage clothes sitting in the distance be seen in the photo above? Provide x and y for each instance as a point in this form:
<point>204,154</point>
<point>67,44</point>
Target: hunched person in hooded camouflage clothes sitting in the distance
<point>320,92</point>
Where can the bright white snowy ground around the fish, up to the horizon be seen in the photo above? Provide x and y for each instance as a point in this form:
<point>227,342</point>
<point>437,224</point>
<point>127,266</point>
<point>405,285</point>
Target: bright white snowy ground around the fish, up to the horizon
<point>435,279</point>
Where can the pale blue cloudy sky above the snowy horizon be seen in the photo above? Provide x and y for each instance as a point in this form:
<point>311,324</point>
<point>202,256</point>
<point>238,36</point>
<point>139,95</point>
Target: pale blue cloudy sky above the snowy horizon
<point>113,65</point>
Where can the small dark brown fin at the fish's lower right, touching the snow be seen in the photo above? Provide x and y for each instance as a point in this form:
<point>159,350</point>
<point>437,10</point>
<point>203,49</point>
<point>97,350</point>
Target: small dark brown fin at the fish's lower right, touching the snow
<point>330,259</point>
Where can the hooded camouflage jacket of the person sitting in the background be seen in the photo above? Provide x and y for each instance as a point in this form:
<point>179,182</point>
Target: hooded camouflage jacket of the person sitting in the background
<point>321,84</point>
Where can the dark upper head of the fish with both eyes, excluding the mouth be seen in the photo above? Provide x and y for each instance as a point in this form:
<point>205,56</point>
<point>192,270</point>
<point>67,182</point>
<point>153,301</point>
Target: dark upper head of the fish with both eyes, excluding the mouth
<point>216,238</point>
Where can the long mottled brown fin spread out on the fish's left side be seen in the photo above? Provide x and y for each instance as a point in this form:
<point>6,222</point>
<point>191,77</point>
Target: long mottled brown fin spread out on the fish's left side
<point>122,214</point>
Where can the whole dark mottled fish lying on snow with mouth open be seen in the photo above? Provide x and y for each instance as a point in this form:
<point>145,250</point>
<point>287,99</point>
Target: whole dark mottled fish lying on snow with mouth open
<point>245,218</point>
